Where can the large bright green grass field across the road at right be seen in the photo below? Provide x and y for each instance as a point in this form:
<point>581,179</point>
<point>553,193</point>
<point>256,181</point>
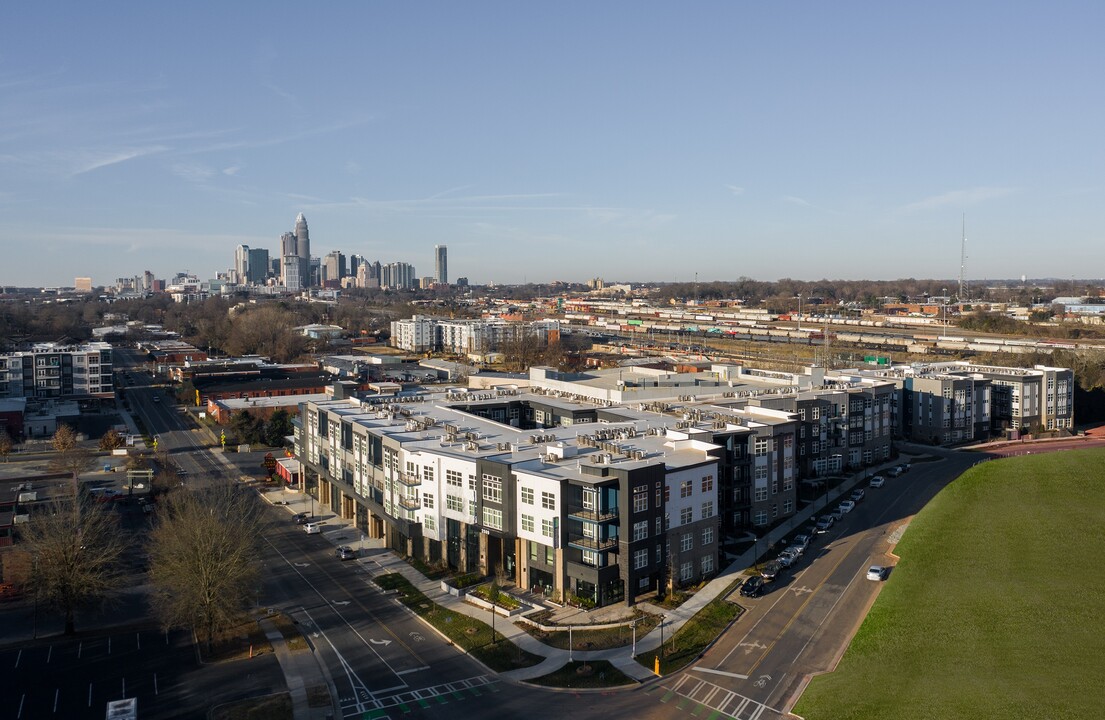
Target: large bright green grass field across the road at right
<point>997,607</point>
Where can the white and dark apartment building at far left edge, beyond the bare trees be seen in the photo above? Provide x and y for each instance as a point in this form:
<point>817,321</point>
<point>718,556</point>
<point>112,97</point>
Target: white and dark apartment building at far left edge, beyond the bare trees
<point>49,370</point>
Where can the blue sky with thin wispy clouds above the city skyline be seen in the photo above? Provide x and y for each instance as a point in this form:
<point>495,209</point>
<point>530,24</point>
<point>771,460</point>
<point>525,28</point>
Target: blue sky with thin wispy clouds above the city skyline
<point>560,141</point>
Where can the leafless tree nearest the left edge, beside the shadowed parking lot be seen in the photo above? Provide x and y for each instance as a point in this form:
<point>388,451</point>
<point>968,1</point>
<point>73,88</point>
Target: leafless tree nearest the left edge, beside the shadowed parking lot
<point>76,548</point>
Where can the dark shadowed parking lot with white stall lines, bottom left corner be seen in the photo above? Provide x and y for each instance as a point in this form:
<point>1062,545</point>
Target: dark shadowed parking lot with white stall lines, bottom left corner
<point>76,679</point>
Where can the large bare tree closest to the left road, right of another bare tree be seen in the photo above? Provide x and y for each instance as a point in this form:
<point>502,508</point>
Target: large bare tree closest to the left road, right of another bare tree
<point>204,564</point>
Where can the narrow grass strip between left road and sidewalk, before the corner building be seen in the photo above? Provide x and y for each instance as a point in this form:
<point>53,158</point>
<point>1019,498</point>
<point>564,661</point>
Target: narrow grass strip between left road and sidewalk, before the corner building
<point>468,633</point>
